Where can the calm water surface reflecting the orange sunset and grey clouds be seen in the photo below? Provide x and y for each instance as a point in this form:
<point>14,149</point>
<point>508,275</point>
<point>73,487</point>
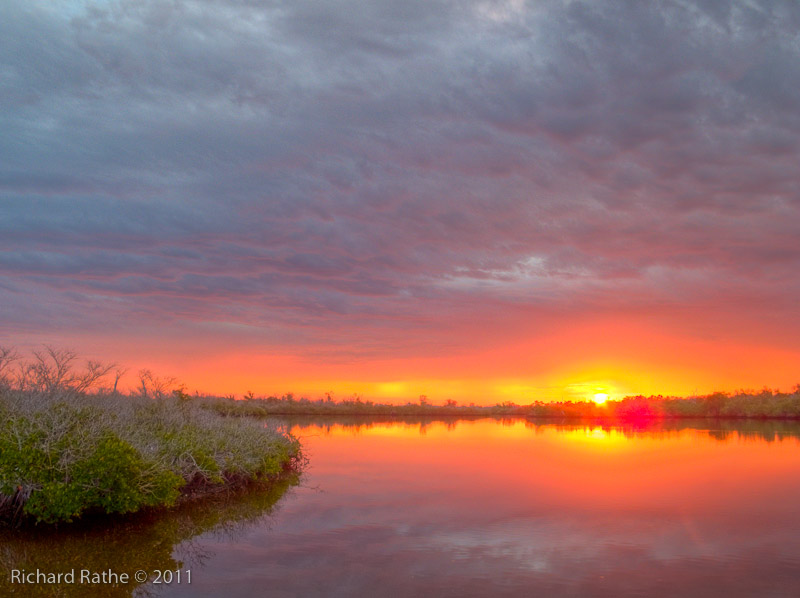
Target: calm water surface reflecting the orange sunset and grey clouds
<point>476,508</point>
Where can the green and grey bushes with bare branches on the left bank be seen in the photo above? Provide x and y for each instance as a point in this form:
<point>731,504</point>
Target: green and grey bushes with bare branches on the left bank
<point>66,452</point>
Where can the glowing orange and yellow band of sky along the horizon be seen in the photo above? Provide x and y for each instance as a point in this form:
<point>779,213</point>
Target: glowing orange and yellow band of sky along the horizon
<point>562,366</point>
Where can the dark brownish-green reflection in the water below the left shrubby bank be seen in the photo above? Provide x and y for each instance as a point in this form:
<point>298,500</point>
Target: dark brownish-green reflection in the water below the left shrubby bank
<point>148,541</point>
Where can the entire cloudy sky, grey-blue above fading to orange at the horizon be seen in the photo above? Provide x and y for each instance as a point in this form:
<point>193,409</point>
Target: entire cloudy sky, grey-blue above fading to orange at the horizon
<point>485,201</point>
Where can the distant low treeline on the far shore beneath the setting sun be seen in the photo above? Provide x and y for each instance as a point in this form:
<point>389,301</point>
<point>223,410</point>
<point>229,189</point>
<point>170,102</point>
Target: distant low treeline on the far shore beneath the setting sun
<point>764,404</point>
